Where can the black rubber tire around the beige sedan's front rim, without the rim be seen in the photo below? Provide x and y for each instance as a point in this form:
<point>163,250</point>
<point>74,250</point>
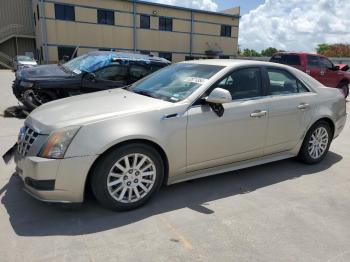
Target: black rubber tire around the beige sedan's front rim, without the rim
<point>104,165</point>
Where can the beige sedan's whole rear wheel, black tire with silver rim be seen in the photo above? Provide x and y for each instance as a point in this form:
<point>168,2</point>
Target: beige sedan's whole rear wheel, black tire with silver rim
<point>316,143</point>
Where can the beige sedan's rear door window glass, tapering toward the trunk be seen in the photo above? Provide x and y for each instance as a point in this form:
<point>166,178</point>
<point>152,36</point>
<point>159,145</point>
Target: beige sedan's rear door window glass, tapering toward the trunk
<point>282,82</point>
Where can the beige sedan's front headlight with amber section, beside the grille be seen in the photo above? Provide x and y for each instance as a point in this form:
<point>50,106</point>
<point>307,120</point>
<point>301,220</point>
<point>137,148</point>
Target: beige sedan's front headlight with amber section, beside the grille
<point>58,142</point>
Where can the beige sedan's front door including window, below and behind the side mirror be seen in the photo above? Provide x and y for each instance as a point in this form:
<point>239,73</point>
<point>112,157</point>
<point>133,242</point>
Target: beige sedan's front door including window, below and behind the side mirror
<point>239,134</point>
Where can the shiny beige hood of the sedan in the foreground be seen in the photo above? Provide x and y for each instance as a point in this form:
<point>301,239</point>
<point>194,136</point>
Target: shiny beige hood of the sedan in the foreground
<point>84,109</point>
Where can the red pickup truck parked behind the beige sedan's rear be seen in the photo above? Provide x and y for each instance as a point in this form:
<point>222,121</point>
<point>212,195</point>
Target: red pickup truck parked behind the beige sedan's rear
<point>319,67</point>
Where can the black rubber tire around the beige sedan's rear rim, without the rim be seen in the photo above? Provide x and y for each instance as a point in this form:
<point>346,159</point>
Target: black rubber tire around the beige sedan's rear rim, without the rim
<point>304,153</point>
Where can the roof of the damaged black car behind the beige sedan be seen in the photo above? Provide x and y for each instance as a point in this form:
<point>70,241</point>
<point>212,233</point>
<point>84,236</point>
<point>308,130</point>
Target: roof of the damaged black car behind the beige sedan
<point>133,56</point>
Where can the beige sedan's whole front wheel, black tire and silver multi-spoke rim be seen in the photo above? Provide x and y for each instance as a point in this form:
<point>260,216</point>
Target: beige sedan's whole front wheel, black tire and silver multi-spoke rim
<point>119,187</point>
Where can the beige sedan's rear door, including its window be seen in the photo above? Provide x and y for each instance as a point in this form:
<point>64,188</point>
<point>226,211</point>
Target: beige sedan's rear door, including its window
<point>289,110</point>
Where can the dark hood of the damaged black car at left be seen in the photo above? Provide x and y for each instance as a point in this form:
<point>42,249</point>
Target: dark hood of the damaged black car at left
<point>42,71</point>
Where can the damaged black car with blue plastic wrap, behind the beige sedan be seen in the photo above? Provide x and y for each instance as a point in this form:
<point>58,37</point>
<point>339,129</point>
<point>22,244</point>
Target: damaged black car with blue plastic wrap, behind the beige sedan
<point>94,71</point>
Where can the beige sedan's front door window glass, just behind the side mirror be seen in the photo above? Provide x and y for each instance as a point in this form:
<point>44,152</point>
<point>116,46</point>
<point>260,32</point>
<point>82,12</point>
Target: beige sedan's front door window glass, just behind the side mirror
<point>243,83</point>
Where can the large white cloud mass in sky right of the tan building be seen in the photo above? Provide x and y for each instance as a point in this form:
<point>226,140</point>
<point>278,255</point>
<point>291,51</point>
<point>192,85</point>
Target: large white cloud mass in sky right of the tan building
<point>298,25</point>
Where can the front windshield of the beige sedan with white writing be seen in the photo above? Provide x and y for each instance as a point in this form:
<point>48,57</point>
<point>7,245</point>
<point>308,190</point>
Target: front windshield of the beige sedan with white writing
<point>175,83</point>
